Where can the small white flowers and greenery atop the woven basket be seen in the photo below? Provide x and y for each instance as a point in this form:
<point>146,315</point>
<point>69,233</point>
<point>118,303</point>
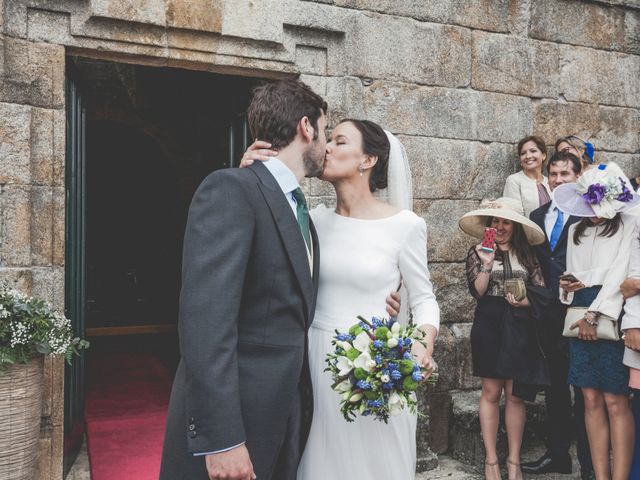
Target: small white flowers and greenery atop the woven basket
<point>29,326</point>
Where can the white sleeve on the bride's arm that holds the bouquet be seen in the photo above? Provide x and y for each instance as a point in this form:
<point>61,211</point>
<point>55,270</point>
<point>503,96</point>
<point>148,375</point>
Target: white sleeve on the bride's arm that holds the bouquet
<point>415,276</point>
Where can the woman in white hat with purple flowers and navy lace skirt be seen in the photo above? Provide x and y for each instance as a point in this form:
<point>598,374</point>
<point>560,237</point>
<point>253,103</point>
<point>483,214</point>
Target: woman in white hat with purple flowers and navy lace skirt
<point>598,255</point>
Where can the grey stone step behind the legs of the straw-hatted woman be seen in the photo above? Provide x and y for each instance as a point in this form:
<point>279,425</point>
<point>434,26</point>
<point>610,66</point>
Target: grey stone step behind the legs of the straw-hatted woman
<point>465,439</point>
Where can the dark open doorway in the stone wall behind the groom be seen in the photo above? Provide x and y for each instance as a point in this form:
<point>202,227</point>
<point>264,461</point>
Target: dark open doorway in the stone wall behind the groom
<point>147,137</point>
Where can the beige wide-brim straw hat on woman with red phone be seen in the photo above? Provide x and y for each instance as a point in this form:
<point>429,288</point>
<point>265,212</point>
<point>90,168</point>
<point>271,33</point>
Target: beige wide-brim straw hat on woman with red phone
<point>474,222</point>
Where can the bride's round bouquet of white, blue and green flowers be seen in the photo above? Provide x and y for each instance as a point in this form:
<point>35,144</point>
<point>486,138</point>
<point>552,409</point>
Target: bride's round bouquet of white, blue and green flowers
<point>373,369</point>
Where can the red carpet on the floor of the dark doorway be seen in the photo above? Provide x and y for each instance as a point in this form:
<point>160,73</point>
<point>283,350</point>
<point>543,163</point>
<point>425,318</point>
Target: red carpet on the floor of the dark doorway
<point>125,412</point>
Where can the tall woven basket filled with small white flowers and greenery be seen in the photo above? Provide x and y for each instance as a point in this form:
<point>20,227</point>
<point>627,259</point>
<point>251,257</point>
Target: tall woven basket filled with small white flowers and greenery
<point>29,330</point>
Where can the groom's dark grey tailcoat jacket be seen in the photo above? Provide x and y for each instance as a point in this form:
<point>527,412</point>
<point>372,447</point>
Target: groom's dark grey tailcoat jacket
<point>246,303</point>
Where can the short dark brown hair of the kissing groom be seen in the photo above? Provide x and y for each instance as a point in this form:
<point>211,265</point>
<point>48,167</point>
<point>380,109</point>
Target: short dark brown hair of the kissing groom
<point>277,107</point>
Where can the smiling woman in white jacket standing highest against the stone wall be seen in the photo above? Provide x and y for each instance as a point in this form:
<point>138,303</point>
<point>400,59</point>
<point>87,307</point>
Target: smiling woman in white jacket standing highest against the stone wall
<point>529,185</point>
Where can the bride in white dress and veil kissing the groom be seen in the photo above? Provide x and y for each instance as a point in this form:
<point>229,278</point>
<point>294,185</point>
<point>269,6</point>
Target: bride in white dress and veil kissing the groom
<point>369,247</point>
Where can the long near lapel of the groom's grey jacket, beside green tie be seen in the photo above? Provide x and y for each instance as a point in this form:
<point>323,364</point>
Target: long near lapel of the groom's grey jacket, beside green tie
<point>289,231</point>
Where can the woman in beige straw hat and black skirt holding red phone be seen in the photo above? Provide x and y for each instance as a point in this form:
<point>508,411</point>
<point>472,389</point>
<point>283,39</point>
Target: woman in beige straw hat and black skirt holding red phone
<point>492,350</point>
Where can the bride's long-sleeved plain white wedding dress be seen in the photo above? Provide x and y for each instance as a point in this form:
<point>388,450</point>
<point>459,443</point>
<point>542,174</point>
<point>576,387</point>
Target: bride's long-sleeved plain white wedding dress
<point>361,262</point>
